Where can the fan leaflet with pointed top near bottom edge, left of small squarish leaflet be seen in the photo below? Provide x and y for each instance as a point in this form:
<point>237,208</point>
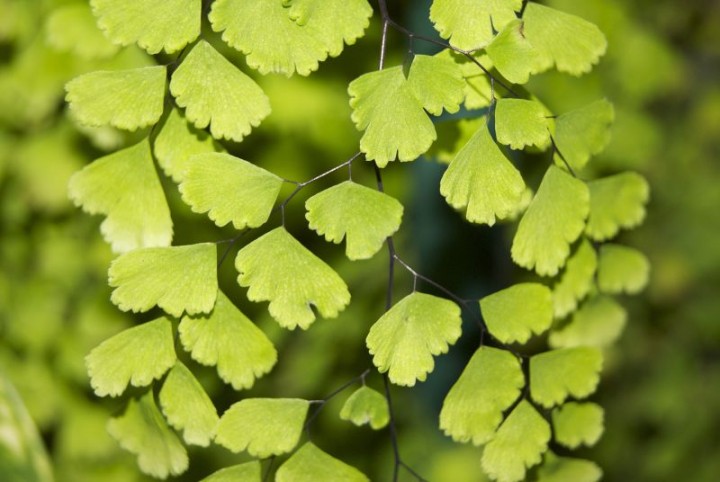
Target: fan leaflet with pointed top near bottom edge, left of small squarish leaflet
<point>518,445</point>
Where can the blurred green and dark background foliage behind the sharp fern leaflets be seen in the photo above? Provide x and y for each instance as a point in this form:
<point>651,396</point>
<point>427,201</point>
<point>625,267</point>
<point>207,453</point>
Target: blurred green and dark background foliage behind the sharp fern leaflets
<point>661,385</point>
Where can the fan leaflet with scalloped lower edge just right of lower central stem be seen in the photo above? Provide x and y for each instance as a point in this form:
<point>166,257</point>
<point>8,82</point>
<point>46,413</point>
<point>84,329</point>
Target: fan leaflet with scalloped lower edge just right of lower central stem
<point>405,339</point>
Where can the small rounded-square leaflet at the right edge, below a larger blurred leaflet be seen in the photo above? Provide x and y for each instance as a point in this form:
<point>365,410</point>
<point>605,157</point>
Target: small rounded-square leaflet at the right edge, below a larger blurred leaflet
<point>622,269</point>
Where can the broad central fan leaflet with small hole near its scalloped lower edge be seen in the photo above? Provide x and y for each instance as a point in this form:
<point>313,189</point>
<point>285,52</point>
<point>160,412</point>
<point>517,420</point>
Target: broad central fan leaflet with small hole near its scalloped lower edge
<point>277,268</point>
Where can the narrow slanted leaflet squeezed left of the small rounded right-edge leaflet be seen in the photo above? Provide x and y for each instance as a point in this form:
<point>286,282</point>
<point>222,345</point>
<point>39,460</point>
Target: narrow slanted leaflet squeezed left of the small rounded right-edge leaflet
<point>576,281</point>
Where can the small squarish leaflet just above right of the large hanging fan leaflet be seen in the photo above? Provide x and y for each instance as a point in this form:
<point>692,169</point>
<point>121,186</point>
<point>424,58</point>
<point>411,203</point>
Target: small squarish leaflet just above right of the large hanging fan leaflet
<point>521,123</point>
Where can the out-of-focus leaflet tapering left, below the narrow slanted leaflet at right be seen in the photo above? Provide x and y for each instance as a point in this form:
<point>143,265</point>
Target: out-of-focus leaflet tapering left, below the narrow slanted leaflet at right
<point>599,322</point>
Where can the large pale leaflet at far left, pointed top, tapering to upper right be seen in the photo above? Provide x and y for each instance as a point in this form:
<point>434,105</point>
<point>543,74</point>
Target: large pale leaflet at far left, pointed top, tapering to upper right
<point>125,187</point>
